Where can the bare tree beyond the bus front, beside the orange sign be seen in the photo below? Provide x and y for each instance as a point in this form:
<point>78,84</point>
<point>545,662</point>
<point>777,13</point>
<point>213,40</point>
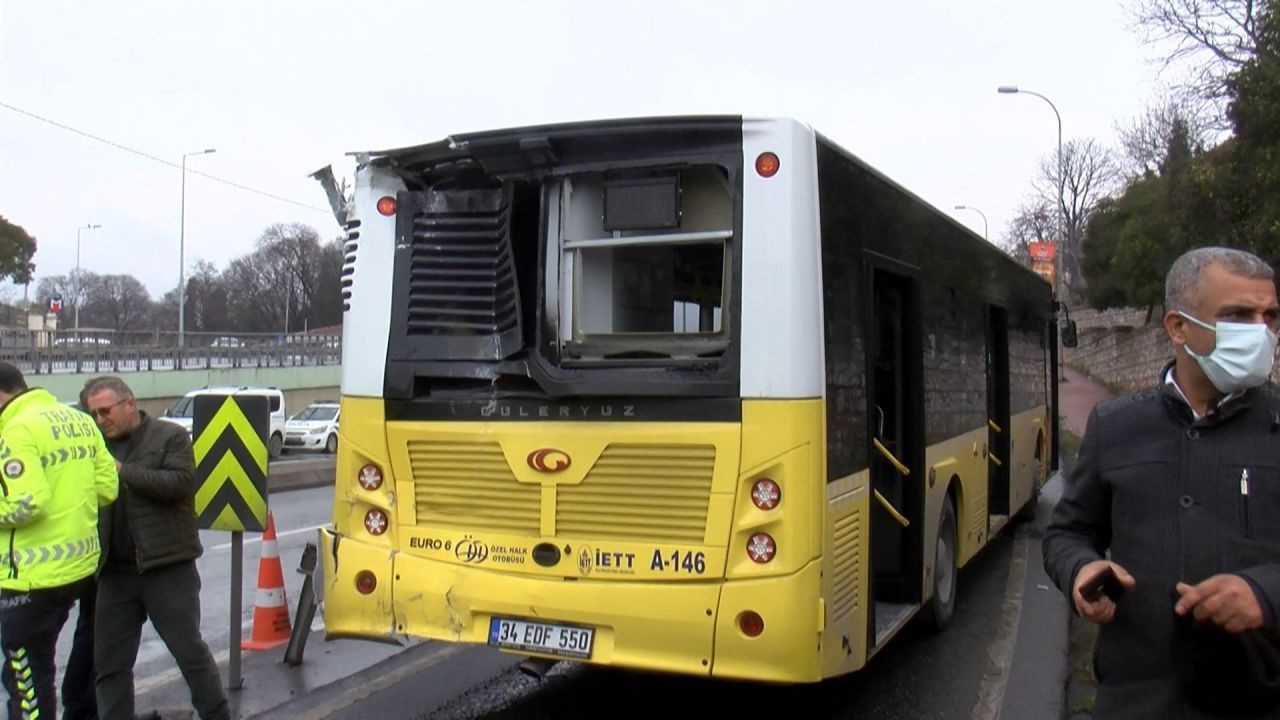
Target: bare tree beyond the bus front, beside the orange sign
<point>1089,174</point>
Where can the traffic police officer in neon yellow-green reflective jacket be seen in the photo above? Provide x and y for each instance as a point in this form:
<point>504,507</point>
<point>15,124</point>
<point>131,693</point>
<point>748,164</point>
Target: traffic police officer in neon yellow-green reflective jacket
<point>54,473</point>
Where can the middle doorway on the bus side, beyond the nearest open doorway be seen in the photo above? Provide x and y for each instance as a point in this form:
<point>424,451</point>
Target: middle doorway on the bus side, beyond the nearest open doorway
<point>999,457</point>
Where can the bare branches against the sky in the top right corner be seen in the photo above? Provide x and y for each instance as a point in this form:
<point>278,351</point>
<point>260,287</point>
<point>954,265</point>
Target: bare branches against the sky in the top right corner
<point>1210,39</point>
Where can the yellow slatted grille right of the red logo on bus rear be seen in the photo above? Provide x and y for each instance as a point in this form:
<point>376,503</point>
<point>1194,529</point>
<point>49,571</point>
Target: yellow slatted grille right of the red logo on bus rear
<point>641,493</point>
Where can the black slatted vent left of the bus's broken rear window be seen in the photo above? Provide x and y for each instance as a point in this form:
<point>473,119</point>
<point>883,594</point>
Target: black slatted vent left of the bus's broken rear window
<point>463,275</point>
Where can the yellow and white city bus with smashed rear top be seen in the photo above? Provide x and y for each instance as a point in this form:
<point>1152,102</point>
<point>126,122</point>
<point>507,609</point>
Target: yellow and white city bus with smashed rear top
<point>700,395</point>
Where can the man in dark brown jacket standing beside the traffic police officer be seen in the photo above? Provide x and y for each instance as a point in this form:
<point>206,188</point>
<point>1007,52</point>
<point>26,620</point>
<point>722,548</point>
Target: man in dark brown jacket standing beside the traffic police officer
<point>153,545</point>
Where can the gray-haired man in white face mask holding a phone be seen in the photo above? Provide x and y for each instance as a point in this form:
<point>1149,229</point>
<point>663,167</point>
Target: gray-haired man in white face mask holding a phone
<point>1168,534</point>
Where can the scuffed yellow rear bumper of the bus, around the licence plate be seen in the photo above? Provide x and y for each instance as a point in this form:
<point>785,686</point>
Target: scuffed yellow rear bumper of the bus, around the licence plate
<point>678,627</point>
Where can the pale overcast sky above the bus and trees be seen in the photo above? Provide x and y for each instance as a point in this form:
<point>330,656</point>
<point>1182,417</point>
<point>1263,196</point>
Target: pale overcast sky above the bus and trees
<point>284,89</point>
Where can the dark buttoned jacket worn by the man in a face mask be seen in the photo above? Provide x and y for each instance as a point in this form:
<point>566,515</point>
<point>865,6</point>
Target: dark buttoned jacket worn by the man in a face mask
<point>1162,491</point>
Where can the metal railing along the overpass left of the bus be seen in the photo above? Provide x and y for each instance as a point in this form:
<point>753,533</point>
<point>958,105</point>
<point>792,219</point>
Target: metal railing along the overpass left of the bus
<point>93,352</point>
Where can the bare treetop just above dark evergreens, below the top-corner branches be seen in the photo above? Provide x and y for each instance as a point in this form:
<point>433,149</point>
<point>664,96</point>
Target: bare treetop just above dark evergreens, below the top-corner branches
<point>1146,142</point>
